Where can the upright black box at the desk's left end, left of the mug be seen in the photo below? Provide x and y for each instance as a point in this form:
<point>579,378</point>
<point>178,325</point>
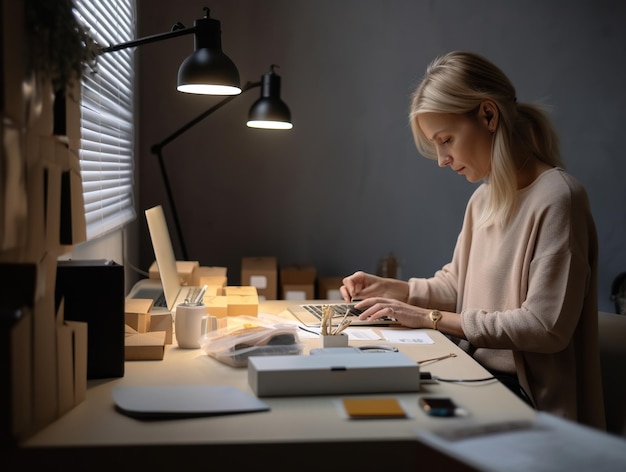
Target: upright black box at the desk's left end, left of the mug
<point>93,291</point>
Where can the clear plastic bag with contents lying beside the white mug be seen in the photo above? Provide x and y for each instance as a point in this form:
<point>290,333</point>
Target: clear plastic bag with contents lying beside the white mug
<point>247,336</point>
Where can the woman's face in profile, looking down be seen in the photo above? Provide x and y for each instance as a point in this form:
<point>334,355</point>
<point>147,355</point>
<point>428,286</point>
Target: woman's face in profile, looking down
<point>462,143</point>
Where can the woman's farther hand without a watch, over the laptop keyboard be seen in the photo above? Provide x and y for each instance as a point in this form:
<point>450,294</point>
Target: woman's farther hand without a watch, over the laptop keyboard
<point>361,285</point>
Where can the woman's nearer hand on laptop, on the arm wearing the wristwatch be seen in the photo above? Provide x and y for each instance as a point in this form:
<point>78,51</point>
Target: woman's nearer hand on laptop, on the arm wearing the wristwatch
<point>408,315</point>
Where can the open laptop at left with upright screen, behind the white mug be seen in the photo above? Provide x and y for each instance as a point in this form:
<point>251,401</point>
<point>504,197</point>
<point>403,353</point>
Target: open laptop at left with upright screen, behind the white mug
<point>168,292</point>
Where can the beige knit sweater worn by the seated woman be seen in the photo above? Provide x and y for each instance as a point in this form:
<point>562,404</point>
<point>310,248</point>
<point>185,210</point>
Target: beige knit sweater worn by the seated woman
<point>521,287</point>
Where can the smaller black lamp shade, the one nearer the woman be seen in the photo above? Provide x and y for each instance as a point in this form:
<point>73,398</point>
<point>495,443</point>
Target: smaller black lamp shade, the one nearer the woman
<point>270,111</point>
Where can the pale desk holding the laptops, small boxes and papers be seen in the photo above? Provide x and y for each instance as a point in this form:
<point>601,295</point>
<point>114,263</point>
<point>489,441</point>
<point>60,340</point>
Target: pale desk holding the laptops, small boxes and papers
<point>296,433</point>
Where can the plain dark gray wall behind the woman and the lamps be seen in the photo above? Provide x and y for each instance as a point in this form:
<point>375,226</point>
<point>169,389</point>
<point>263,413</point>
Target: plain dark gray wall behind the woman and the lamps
<point>346,186</point>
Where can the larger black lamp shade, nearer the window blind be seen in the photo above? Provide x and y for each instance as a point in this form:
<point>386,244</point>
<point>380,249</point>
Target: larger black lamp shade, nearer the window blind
<point>208,70</point>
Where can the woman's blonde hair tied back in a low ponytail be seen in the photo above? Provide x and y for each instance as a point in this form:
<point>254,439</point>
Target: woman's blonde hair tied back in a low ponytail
<point>458,82</point>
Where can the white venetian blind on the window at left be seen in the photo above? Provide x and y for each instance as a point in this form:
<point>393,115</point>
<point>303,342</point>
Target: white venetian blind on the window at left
<point>107,128</point>
